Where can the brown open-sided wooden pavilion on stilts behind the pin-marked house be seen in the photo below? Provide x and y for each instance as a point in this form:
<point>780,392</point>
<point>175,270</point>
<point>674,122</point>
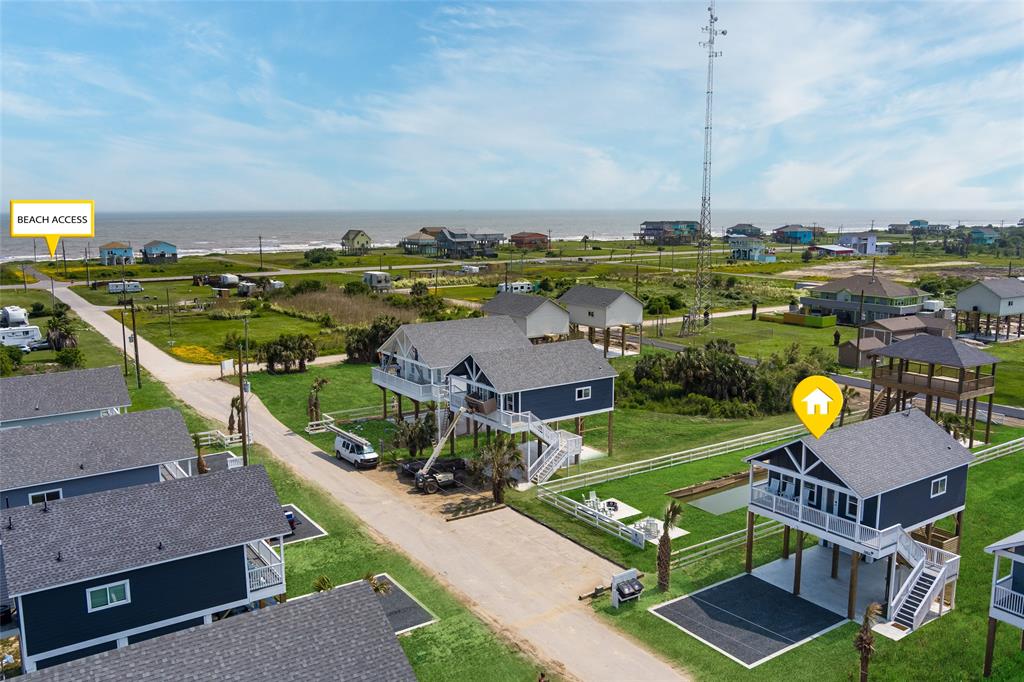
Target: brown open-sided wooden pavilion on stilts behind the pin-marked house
<point>936,369</point>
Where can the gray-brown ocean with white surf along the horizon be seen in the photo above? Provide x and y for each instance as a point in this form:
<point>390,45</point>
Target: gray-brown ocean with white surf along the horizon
<point>238,232</point>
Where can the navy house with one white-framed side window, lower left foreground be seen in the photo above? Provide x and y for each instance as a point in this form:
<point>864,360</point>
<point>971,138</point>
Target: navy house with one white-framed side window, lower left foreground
<point>104,571</point>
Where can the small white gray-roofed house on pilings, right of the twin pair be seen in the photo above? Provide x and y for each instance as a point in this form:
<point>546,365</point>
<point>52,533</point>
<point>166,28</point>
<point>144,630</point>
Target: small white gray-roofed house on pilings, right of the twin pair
<point>600,309</point>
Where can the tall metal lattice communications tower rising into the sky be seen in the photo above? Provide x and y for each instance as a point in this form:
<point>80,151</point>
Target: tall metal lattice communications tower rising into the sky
<point>700,315</point>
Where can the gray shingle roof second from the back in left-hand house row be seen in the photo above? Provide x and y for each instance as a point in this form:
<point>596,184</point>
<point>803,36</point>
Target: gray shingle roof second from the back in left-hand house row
<point>60,451</point>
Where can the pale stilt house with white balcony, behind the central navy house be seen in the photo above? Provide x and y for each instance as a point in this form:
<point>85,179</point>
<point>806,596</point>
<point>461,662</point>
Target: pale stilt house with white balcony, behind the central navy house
<point>415,361</point>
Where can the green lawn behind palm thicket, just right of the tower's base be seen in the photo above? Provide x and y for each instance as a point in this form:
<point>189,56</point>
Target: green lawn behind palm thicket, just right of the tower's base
<point>759,338</point>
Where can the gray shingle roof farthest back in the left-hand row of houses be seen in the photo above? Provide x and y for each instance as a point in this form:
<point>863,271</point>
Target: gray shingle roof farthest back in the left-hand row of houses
<point>62,393</point>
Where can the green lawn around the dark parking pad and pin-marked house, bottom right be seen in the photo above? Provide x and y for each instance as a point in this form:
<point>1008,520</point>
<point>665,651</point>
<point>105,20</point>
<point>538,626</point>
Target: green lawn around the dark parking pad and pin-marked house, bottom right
<point>951,649</point>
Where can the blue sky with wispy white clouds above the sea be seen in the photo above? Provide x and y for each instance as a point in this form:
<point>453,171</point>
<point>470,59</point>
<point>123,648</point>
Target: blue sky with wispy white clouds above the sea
<point>511,106</point>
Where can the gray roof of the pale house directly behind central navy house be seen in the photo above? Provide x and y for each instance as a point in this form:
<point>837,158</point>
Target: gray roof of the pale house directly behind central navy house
<point>442,345</point>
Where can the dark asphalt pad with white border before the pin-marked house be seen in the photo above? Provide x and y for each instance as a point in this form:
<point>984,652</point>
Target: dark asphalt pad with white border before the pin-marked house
<point>748,620</point>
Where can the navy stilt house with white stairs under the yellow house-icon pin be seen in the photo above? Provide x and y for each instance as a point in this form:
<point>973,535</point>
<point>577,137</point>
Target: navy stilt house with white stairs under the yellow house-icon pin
<point>864,490</point>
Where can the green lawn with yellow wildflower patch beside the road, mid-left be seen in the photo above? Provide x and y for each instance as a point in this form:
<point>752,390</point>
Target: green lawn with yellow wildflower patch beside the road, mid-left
<point>199,339</point>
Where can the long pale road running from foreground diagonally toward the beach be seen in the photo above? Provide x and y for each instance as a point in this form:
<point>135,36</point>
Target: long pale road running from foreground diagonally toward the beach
<point>517,575</point>
